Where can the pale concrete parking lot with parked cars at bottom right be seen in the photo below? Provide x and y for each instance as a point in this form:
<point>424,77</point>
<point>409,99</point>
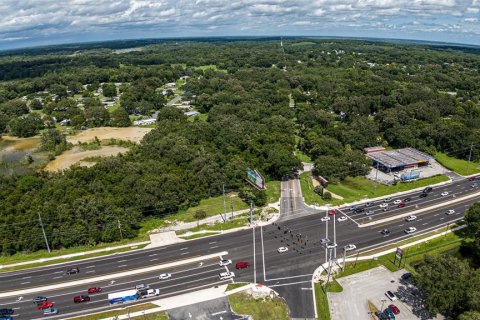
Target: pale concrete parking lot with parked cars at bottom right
<point>358,289</point>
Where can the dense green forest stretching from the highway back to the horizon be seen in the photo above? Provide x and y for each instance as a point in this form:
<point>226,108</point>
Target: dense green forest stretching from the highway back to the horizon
<point>263,102</point>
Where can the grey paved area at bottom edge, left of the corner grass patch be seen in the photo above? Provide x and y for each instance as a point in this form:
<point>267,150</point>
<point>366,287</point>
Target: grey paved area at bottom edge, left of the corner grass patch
<point>214,309</point>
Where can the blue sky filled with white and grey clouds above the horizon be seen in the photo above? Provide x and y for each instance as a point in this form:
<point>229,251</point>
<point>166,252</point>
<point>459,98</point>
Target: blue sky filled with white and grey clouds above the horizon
<point>26,23</point>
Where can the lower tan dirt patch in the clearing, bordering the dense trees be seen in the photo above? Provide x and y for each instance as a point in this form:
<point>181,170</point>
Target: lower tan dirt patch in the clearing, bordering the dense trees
<point>75,155</point>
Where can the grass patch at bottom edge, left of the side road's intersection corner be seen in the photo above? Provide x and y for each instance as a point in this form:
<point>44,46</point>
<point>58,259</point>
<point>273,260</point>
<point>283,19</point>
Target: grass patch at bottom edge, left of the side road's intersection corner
<point>259,309</point>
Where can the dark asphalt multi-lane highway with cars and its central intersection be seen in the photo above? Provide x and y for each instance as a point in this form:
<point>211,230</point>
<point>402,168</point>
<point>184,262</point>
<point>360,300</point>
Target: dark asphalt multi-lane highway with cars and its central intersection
<point>300,229</point>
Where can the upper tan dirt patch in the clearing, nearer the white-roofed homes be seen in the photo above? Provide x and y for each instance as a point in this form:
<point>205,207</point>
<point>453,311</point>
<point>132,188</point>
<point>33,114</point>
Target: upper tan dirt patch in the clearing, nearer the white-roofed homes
<point>134,134</point>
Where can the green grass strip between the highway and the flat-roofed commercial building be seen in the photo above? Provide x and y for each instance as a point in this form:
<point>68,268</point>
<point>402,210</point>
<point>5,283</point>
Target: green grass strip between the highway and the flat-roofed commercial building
<point>357,188</point>
